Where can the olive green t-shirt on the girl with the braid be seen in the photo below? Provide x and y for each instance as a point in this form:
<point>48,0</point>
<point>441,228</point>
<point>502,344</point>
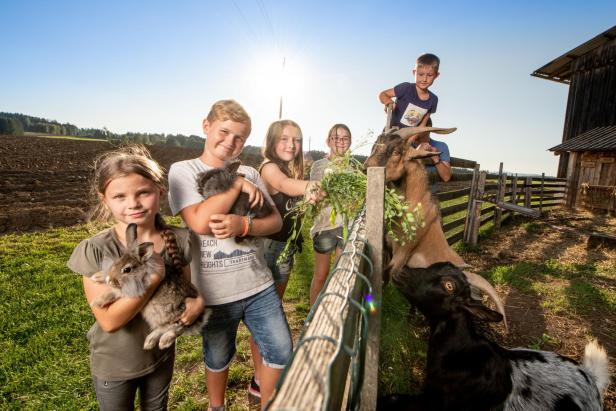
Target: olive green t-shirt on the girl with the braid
<point>120,355</point>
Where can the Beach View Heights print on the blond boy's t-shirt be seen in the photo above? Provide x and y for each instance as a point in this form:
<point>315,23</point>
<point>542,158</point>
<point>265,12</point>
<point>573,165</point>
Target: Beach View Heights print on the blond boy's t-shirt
<point>222,256</point>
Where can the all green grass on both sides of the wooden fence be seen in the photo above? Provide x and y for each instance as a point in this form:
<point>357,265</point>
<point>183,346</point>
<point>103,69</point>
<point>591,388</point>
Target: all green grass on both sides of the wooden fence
<point>44,319</point>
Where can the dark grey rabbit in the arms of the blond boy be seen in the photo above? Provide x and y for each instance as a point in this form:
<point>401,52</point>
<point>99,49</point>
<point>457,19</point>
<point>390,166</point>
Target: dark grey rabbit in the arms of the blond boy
<point>219,180</point>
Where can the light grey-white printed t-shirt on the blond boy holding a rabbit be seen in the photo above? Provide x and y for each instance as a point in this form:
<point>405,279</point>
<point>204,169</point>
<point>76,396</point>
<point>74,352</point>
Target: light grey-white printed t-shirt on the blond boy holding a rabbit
<point>223,270</point>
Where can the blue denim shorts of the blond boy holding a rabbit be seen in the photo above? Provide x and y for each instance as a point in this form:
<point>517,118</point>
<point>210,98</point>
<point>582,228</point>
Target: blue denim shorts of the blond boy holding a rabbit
<point>263,315</point>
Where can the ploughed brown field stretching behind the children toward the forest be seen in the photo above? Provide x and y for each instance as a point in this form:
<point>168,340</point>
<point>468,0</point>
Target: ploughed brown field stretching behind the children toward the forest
<point>44,181</point>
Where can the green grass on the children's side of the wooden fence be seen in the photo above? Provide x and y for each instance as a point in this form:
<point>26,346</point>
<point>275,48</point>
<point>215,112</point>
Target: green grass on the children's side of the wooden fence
<point>44,318</point>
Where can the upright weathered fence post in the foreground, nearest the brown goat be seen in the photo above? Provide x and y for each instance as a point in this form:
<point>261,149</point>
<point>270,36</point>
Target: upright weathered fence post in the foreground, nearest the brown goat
<point>375,203</point>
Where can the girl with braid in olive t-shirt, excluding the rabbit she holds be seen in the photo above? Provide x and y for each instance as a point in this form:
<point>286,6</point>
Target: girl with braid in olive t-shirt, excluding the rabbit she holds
<point>128,185</point>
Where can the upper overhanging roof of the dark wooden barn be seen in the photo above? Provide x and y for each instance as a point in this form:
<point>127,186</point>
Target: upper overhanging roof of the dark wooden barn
<point>560,68</point>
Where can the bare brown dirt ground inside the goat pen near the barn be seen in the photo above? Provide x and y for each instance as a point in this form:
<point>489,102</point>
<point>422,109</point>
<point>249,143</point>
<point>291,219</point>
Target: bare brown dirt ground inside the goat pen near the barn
<point>561,237</point>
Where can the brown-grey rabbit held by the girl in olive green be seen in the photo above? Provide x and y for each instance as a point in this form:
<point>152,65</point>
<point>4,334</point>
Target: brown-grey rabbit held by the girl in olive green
<point>129,276</point>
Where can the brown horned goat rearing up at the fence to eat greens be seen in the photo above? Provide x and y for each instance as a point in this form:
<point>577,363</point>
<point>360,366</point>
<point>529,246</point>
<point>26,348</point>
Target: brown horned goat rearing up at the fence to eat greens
<point>404,169</point>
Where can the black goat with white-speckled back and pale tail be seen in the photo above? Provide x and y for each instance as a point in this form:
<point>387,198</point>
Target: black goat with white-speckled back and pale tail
<point>465,371</point>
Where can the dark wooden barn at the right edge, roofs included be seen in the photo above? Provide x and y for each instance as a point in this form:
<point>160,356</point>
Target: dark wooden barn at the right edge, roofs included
<point>588,149</point>
